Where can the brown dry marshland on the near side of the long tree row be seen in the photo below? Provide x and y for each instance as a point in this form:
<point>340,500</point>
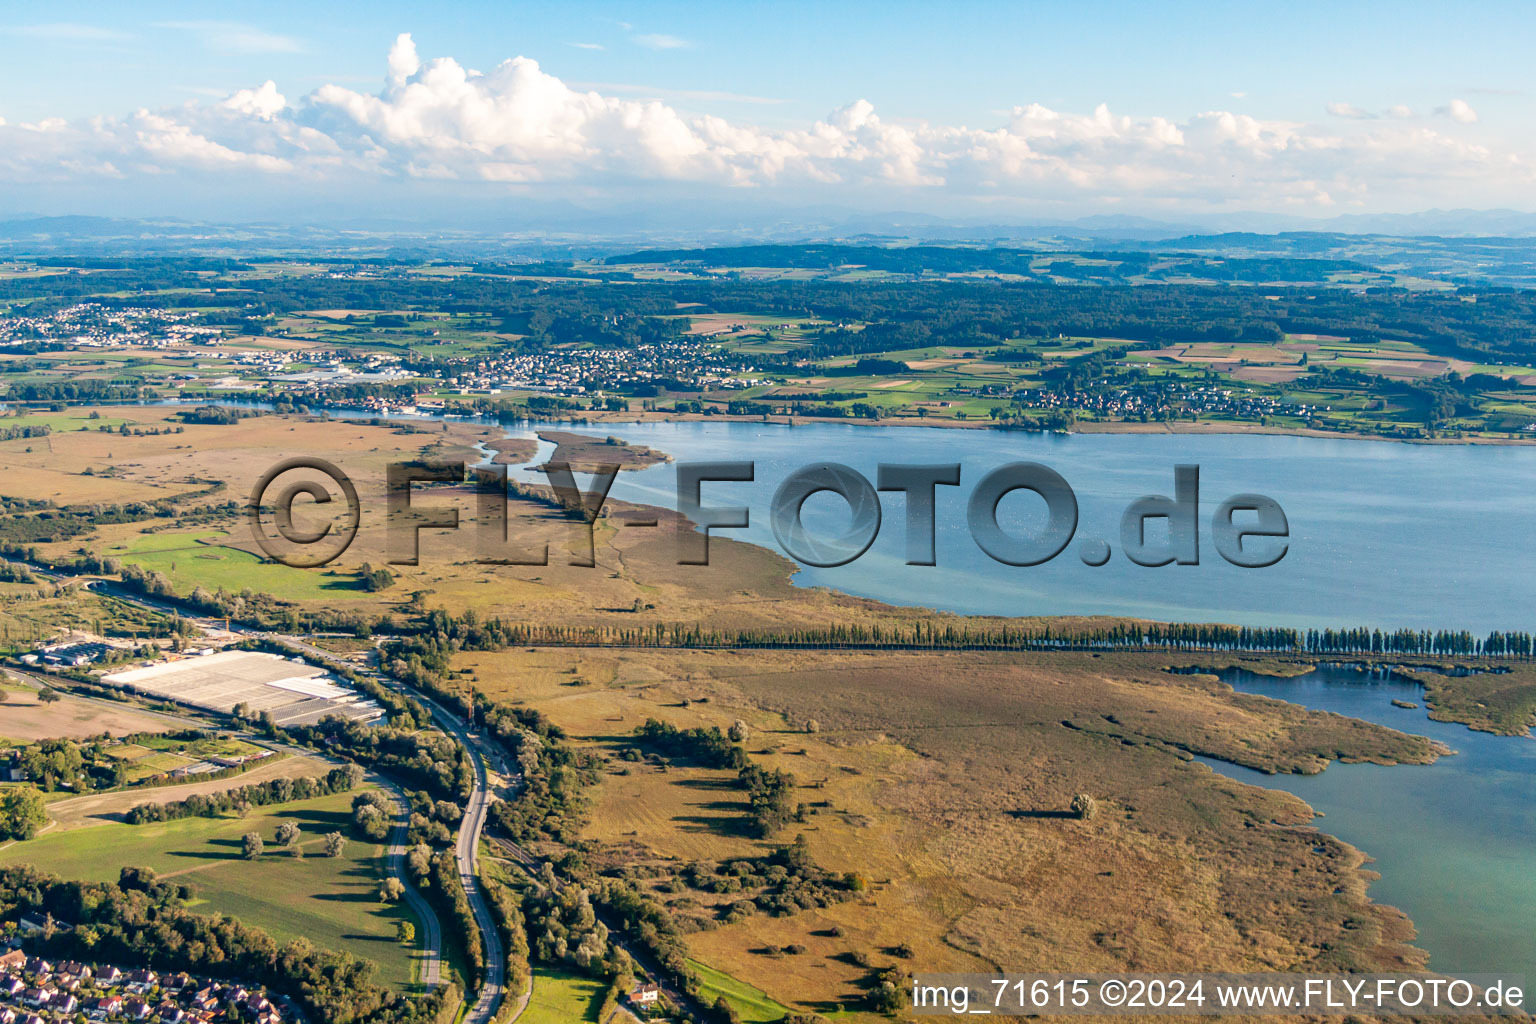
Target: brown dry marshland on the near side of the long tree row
<point>945,778</point>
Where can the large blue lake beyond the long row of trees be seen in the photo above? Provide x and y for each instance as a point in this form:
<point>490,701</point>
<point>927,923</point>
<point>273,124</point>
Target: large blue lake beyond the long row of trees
<point>1382,535</point>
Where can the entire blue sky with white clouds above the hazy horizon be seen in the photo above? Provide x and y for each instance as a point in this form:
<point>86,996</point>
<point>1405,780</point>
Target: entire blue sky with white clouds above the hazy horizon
<point>982,111</point>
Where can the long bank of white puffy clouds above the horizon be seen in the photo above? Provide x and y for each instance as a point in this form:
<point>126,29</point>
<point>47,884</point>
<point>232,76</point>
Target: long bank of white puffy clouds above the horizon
<point>435,121</point>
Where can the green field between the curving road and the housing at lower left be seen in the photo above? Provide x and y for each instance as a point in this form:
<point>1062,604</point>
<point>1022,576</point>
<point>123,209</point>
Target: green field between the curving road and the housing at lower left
<point>334,903</point>
